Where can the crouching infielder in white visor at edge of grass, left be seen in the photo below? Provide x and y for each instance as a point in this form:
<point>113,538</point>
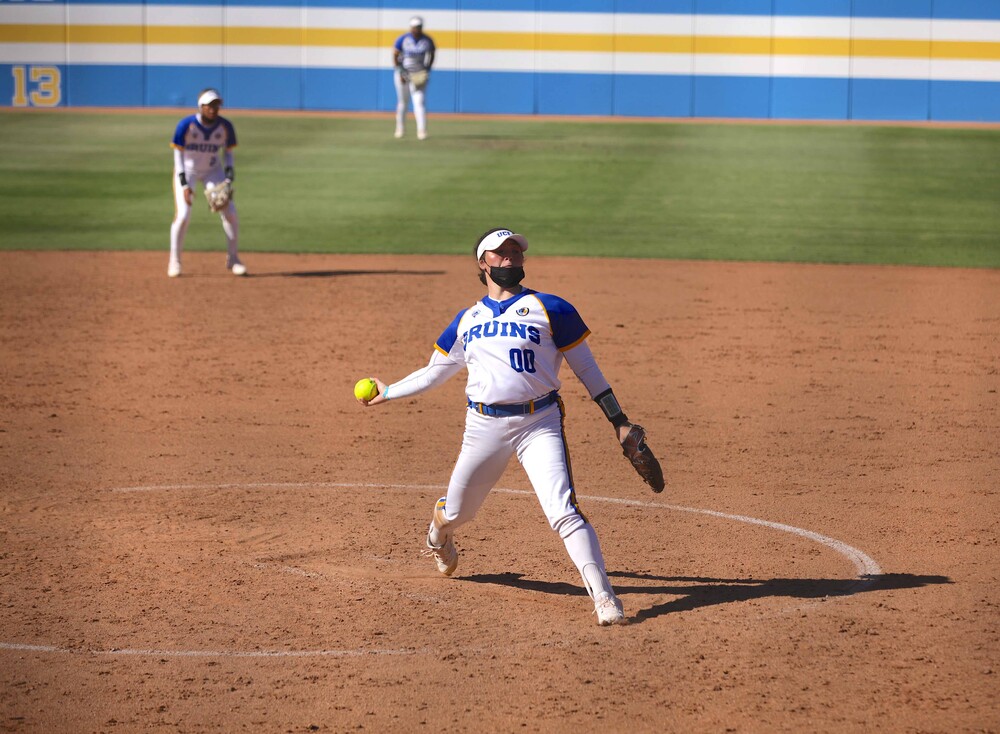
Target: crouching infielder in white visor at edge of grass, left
<point>203,151</point>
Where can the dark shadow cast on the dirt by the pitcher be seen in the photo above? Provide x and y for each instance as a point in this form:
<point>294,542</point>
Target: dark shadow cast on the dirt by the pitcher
<point>692,592</point>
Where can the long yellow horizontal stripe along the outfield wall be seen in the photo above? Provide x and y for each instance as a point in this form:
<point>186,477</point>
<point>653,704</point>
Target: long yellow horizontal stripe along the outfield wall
<point>505,41</point>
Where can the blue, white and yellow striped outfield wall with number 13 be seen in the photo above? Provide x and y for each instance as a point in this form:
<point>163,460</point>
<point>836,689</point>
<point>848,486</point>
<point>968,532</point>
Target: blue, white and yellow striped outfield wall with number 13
<point>799,59</point>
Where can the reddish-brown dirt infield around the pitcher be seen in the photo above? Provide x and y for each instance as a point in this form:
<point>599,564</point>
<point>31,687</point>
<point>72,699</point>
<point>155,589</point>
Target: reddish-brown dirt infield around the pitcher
<point>200,530</point>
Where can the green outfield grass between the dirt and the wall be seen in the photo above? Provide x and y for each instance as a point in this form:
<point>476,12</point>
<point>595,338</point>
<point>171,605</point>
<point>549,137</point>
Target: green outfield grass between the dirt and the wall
<point>846,194</point>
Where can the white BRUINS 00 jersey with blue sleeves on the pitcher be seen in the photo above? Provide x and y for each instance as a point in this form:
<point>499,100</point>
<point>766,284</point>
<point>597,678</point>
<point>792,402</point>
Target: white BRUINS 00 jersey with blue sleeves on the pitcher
<point>513,349</point>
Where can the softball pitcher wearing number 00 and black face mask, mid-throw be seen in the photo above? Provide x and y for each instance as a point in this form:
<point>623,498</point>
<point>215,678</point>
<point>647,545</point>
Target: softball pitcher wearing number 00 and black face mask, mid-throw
<point>513,342</point>
